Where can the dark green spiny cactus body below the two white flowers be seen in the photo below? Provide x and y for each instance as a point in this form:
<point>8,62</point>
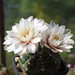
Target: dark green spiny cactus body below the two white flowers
<point>44,62</point>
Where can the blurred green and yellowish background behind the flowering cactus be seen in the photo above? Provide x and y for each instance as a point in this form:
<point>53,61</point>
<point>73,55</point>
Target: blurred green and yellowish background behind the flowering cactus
<point>60,11</point>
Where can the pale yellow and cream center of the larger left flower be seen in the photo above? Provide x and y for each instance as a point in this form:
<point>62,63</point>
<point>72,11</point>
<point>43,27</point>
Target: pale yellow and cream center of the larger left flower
<point>25,35</point>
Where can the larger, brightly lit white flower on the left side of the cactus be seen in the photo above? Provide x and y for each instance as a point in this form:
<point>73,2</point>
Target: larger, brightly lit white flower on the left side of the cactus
<point>25,36</point>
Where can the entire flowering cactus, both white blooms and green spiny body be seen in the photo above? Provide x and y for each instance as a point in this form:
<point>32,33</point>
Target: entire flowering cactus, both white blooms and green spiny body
<point>38,44</point>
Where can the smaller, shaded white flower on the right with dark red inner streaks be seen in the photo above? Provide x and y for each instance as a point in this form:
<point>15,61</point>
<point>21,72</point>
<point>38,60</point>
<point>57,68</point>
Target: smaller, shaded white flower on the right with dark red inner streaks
<point>57,38</point>
